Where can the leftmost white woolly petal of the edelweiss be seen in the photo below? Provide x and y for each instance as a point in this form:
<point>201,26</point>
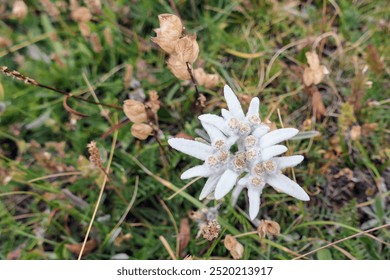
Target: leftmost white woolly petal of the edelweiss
<point>190,147</point>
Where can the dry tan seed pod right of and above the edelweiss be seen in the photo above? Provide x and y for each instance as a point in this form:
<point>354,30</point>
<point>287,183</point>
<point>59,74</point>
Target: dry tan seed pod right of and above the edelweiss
<point>315,73</point>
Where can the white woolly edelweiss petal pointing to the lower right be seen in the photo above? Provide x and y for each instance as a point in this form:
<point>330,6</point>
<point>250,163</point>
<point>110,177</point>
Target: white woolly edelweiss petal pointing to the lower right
<point>288,186</point>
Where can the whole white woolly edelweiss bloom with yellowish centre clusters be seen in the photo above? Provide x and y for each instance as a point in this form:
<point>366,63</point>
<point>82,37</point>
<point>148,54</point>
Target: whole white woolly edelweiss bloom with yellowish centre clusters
<point>255,160</point>
